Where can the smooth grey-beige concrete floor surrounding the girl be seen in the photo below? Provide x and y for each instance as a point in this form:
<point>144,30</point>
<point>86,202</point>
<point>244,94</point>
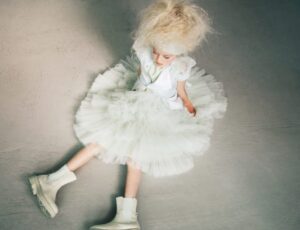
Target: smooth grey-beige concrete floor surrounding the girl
<point>50,52</point>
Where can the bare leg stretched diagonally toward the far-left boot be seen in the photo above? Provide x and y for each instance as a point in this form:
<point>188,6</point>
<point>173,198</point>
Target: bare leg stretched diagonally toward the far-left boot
<point>83,156</point>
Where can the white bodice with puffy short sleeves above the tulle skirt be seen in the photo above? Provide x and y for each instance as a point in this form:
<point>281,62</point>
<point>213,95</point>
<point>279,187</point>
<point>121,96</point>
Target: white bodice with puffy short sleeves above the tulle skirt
<point>162,81</point>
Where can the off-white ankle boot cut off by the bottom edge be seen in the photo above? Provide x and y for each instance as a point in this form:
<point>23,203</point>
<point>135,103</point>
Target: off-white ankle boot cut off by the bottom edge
<point>126,217</point>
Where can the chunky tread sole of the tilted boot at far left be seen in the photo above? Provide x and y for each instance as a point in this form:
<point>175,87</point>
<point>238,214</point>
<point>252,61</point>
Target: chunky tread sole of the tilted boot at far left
<point>48,208</point>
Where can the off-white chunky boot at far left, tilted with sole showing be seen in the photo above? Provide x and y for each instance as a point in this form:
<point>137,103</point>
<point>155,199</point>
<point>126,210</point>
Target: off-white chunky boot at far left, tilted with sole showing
<point>45,188</point>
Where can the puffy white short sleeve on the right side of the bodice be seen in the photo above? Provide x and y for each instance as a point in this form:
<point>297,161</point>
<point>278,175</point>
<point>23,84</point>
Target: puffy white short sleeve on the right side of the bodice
<point>181,68</point>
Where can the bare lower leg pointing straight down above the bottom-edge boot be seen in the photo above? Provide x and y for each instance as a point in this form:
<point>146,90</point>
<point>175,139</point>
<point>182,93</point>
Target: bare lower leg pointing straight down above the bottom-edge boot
<point>132,181</point>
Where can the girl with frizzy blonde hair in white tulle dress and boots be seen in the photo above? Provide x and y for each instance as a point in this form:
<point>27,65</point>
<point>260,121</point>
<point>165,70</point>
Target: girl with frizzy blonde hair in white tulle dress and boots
<point>143,112</point>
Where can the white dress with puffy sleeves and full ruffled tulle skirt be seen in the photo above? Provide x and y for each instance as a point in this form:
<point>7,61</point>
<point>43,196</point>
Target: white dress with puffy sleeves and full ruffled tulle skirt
<point>142,119</point>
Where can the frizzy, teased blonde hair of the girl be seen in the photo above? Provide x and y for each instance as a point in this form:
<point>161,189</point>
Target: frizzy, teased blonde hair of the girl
<point>177,22</point>
